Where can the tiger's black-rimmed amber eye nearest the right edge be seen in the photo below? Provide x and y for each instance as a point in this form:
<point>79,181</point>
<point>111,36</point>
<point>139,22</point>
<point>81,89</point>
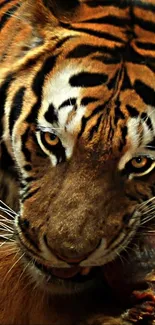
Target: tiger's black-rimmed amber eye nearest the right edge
<point>140,165</point>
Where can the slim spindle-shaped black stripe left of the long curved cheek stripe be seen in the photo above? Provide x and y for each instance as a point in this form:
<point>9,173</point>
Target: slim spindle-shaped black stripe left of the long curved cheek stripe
<point>16,107</point>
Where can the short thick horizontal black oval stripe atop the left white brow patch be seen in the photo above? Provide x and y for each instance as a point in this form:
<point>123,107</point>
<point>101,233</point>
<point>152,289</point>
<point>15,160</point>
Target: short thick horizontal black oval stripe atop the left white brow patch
<point>88,79</point>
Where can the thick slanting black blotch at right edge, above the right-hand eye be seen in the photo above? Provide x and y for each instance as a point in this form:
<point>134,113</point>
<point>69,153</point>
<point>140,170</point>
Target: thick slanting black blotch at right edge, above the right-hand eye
<point>145,92</point>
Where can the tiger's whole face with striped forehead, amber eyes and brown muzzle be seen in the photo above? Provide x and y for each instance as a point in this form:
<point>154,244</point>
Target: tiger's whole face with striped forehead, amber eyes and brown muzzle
<point>84,147</point>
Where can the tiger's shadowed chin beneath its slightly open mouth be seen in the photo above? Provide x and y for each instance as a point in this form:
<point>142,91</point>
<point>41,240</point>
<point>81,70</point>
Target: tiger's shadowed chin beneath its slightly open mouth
<point>62,281</point>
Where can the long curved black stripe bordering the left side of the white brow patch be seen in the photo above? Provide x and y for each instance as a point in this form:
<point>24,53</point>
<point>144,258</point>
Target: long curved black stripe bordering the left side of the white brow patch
<point>37,86</point>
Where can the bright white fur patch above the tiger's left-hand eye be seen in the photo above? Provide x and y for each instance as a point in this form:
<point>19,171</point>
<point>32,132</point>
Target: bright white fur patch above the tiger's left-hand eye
<point>58,90</point>
